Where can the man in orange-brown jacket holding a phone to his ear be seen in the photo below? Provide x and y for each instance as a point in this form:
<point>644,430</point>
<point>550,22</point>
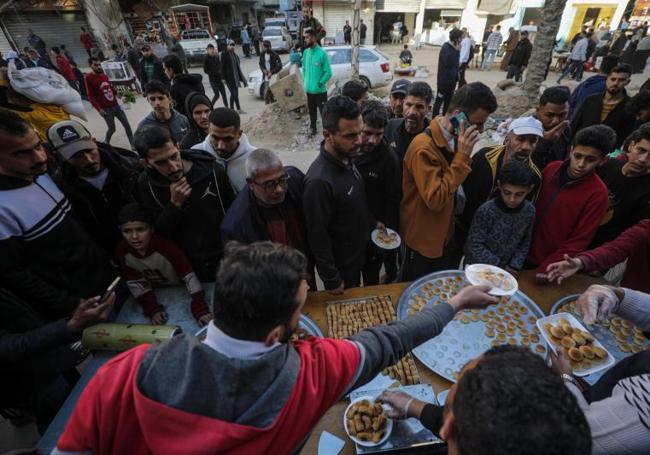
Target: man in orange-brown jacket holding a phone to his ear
<point>435,165</point>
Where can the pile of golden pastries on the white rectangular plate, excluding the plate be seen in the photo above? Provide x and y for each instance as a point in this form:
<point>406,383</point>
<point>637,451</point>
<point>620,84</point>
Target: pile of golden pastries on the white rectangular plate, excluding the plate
<point>577,344</point>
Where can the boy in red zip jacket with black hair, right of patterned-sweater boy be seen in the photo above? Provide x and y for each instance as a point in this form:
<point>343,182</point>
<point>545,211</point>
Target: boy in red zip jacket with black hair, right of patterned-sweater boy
<point>573,200</point>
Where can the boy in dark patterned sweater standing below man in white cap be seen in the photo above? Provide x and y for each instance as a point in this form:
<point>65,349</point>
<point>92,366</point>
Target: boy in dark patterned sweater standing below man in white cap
<point>502,227</point>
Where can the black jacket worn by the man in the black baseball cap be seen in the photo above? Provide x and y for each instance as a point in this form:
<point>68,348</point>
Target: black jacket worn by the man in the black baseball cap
<point>97,210</point>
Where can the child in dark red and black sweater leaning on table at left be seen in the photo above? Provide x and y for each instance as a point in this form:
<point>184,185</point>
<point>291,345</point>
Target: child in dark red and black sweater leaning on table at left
<point>148,260</point>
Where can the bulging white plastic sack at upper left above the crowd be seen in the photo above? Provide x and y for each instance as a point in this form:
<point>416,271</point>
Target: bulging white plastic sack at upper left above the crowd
<point>47,87</point>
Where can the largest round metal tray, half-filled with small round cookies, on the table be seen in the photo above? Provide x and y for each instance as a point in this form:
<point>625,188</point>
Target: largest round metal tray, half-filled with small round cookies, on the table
<point>471,332</point>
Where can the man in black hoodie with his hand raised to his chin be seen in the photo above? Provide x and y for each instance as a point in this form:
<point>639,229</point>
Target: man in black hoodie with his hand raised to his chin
<point>188,193</point>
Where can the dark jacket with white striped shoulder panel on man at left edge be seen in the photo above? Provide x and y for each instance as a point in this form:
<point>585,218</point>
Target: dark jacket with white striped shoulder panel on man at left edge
<point>48,259</point>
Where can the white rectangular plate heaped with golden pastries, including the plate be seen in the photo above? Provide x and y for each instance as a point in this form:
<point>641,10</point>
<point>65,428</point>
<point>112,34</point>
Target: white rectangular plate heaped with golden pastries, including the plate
<point>562,331</point>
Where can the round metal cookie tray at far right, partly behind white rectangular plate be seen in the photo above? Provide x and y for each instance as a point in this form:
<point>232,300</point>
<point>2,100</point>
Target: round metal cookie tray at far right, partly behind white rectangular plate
<point>620,337</point>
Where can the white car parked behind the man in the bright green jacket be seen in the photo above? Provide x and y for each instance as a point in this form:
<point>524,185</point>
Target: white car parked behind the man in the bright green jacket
<point>374,68</point>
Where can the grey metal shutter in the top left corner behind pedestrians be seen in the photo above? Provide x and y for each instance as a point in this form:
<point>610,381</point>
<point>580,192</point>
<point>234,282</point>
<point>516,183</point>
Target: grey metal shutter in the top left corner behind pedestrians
<point>55,28</point>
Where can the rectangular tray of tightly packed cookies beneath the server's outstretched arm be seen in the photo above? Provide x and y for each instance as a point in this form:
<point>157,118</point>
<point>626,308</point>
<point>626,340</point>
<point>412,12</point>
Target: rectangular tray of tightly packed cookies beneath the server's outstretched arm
<point>348,317</point>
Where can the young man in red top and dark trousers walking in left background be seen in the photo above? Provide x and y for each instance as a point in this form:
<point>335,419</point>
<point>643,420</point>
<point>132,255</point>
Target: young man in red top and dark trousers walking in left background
<point>103,97</point>
